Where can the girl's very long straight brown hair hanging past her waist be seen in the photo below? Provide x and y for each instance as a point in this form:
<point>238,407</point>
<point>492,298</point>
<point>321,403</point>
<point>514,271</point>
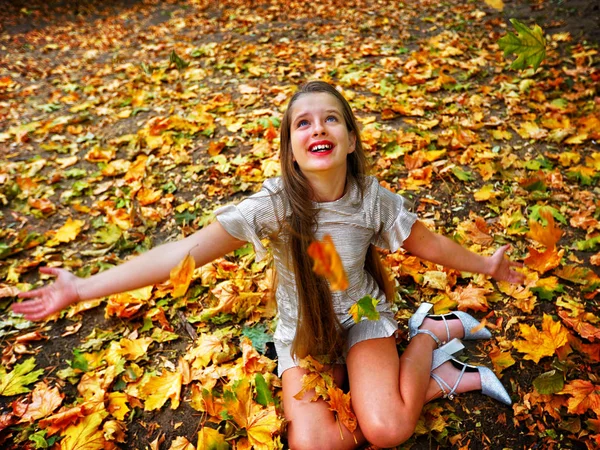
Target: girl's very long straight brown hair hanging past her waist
<point>319,331</point>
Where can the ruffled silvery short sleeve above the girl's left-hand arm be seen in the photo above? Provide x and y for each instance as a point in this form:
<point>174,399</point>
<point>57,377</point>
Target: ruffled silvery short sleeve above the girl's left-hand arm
<point>255,218</point>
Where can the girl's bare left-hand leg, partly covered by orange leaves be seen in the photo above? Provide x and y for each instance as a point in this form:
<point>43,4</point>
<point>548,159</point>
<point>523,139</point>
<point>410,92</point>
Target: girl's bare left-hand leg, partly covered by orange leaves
<point>311,424</point>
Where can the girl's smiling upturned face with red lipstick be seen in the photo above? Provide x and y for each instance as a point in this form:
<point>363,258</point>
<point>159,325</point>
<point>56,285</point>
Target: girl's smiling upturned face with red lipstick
<point>319,136</point>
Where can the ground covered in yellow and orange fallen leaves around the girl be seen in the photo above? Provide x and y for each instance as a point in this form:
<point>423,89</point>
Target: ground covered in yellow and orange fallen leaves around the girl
<point>125,124</point>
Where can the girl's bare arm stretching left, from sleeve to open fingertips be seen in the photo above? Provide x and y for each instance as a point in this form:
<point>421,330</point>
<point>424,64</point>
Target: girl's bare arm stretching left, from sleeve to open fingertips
<point>148,268</point>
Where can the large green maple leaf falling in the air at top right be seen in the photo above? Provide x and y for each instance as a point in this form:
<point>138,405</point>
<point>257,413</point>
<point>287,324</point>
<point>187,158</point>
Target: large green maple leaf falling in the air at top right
<point>529,45</point>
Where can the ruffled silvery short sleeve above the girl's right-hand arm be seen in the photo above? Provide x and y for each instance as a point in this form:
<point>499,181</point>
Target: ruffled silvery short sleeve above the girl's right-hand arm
<point>393,218</point>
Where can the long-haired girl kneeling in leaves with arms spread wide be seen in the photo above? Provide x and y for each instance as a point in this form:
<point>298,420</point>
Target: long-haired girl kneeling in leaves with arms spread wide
<point>324,190</point>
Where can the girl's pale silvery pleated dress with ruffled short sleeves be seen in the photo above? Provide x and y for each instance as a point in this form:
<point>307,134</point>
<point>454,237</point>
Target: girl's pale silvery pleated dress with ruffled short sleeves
<point>379,217</point>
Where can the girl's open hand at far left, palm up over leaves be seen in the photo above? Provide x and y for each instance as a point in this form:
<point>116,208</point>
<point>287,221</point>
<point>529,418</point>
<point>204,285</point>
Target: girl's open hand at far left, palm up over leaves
<point>47,300</point>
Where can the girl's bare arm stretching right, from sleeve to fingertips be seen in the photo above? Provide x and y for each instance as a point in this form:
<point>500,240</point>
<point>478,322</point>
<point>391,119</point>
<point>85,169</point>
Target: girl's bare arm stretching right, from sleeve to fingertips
<point>441,250</point>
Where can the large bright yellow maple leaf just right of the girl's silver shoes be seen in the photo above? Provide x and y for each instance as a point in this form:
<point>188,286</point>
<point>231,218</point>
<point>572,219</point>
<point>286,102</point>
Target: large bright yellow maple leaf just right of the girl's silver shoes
<point>538,344</point>
